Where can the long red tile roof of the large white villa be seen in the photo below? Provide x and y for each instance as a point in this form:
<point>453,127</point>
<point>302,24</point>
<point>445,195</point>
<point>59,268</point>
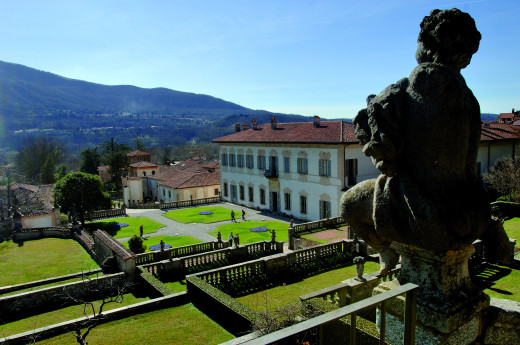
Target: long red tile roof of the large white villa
<point>329,132</point>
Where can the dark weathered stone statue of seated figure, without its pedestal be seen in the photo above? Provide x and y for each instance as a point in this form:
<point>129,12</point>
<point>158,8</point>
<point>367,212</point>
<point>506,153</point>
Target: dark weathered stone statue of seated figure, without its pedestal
<point>423,134</point>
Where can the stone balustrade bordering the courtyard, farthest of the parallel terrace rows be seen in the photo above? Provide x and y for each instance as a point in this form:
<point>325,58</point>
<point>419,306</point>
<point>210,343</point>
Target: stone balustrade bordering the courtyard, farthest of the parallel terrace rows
<point>146,258</point>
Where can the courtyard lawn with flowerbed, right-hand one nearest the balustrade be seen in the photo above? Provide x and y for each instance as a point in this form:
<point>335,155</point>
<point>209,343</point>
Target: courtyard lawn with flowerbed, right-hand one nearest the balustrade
<point>246,236</point>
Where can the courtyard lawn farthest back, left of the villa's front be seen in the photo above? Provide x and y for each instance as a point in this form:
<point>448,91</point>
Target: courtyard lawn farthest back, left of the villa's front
<point>191,215</point>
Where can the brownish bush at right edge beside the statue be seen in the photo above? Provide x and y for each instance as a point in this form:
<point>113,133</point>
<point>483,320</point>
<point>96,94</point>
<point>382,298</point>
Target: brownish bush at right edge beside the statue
<point>504,178</point>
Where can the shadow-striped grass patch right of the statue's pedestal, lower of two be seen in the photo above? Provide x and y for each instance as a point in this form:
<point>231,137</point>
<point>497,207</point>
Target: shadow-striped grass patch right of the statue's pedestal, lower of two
<point>499,282</point>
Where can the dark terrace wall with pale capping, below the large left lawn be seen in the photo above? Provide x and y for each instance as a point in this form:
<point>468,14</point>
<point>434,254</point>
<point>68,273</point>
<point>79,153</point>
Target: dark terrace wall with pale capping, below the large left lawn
<point>18,306</point>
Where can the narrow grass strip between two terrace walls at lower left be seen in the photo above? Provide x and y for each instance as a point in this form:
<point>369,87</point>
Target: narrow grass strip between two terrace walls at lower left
<point>60,315</point>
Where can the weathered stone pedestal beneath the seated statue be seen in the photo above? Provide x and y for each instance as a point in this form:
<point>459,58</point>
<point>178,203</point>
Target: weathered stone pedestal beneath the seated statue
<point>448,304</point>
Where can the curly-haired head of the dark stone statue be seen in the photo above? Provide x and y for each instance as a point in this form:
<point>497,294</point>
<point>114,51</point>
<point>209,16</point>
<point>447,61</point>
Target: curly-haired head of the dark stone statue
<point>448,37</point>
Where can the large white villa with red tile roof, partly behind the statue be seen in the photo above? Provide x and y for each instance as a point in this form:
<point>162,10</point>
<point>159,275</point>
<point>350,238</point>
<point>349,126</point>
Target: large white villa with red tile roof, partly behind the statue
<point>302,169</point>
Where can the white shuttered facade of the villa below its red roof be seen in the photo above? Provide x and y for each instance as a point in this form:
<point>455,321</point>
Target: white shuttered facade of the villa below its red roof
<point>309,194</point>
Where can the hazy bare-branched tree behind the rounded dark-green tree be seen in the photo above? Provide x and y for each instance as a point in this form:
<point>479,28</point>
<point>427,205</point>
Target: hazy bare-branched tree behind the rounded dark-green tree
<point>34,153</point>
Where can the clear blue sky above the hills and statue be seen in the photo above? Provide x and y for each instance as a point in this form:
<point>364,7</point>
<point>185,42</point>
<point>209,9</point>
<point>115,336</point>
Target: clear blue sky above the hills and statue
<point>300,57</point>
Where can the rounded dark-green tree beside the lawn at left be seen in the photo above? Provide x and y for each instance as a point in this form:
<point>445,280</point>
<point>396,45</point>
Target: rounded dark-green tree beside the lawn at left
<point>83,191</point>
